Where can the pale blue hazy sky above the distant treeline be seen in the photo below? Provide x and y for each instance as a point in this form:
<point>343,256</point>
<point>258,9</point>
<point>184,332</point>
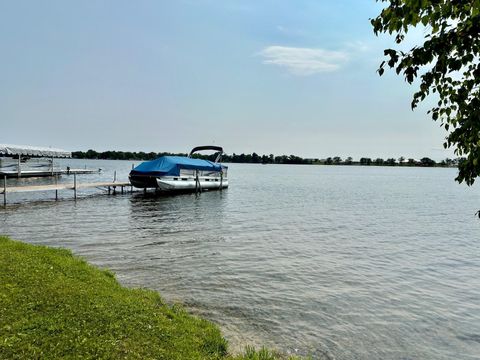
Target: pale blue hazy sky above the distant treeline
<point>267,76</point>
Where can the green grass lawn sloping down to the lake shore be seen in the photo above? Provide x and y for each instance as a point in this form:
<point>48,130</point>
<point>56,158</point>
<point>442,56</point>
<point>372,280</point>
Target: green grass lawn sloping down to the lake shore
<point>56,305</point>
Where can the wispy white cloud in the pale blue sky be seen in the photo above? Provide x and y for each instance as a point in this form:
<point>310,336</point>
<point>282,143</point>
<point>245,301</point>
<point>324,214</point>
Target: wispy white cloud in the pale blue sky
<point>304,61</point>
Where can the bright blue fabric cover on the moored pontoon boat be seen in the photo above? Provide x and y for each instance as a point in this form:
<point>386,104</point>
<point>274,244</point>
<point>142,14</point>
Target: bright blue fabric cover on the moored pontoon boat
<point>171,165</point>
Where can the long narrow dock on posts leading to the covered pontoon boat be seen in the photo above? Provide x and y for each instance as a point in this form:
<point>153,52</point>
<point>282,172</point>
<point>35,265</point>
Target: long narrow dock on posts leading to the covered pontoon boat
<point>108,186</point>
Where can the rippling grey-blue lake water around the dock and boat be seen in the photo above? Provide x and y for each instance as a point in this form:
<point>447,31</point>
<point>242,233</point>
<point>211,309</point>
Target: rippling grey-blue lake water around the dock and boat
<point>339,262</point>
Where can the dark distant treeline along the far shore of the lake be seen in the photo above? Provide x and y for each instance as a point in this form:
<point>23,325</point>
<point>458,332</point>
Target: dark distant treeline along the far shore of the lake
<point>254,158</point>
